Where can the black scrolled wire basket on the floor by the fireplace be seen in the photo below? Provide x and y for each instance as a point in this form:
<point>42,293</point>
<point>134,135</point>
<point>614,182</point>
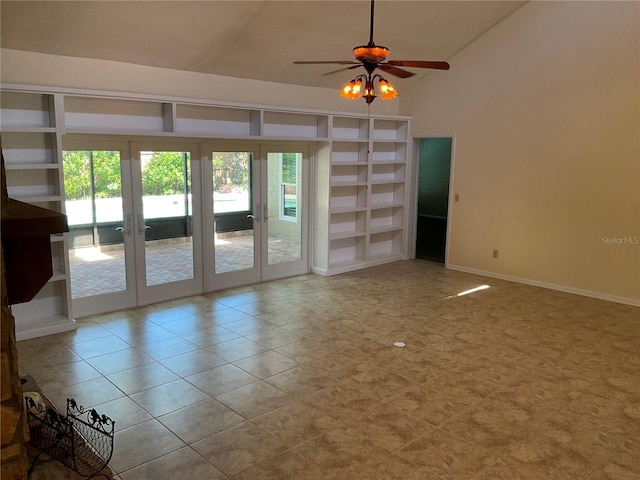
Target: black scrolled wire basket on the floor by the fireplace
<point>82,440</point>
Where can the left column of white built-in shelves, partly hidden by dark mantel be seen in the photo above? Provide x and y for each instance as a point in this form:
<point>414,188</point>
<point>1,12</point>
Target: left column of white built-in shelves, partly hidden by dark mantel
<point>31,147</point>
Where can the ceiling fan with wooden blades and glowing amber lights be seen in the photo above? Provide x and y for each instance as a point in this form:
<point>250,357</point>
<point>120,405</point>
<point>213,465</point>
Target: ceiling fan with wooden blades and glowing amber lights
<point>374,57</point>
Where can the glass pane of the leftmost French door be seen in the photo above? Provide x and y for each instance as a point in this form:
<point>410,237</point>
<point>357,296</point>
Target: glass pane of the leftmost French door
<point>97,230</point>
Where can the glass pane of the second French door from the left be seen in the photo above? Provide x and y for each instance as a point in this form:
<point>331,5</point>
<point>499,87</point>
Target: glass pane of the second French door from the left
<point>167,216</point>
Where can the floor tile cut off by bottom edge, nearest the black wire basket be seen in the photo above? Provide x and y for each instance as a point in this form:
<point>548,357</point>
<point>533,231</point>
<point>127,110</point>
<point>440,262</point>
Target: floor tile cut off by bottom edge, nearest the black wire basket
<point>173,467</point>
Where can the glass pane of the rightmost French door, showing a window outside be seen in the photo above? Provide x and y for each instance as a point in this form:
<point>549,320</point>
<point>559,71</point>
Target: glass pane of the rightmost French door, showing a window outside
<point>284,200</point>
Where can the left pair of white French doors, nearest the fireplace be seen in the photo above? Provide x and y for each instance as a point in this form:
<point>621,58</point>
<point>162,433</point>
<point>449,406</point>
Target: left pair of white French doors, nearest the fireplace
<point>134,211</point>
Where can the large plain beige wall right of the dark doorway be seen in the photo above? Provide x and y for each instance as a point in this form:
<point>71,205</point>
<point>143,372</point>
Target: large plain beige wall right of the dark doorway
<point>545,109</point>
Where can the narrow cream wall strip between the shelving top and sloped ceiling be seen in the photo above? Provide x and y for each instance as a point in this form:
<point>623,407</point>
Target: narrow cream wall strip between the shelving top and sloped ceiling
<point>28,68</point>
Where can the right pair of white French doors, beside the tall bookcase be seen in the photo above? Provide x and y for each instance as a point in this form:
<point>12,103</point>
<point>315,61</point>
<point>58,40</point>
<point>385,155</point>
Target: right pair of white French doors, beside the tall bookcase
<point>257,221</point>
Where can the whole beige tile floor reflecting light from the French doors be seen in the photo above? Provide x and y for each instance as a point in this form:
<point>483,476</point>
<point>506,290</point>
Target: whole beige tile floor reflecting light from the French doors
<point>299,379</point>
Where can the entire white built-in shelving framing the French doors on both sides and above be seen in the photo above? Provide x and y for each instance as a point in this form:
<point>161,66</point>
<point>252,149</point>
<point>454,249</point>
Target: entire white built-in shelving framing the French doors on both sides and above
<point>359,205</point>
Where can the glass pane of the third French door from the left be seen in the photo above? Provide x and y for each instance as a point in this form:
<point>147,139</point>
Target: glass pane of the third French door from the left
<point>234,217</point>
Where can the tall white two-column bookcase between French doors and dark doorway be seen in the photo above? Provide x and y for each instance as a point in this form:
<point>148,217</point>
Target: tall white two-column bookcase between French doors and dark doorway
<point>366,174</point>
